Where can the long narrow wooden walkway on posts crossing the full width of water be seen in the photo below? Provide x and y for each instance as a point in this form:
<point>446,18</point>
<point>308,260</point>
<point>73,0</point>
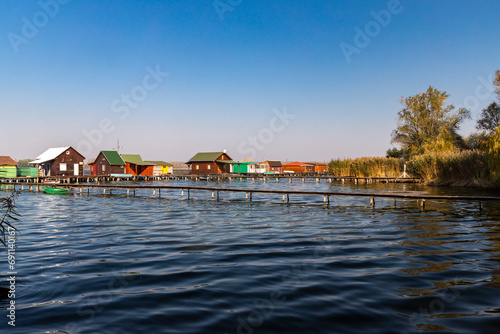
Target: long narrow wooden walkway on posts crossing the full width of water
<point>215,191</point>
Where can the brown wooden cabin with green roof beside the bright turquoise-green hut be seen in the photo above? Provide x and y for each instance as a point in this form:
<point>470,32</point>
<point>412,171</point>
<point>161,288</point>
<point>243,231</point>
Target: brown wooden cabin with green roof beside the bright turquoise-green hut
<point>210,163</point>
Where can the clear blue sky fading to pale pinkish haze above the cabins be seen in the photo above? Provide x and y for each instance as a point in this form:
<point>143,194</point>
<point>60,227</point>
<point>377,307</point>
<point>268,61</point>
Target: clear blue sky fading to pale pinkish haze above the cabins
<point>262,79</point>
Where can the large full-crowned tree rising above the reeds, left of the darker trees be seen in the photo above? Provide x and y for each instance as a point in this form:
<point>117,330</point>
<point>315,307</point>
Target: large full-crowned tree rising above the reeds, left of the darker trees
<point>427,124</point>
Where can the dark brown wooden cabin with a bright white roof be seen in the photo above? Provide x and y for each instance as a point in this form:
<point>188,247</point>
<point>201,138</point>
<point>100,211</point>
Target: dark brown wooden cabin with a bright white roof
<point>59,161</point>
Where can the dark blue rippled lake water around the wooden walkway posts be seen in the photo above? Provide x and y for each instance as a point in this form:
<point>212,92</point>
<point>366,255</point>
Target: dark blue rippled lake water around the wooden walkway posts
<point>118,264</point>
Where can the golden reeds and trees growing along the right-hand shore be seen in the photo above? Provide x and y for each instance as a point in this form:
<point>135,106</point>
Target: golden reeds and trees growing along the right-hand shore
<point>431,147</point>
